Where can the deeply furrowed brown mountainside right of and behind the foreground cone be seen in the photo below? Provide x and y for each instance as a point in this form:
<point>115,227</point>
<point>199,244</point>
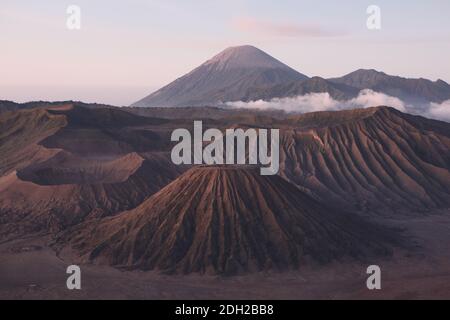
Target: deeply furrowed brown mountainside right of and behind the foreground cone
<point>373,160</point>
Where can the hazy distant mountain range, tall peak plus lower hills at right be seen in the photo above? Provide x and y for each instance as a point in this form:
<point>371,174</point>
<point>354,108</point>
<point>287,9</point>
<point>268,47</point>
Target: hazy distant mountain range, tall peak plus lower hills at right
<point>246,73</point>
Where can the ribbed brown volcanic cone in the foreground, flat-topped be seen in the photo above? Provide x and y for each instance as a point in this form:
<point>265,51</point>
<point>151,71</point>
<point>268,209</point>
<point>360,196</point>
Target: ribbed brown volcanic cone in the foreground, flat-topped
<point>226,220</point>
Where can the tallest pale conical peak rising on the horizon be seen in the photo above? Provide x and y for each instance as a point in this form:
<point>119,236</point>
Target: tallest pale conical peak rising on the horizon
<point>226,77</point>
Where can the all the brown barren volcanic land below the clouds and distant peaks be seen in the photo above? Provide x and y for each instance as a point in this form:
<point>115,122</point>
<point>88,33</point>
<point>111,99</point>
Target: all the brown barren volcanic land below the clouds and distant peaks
<point>95,186</point>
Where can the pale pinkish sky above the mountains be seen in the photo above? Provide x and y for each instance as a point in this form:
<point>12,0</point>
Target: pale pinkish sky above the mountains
<point>127,49</point>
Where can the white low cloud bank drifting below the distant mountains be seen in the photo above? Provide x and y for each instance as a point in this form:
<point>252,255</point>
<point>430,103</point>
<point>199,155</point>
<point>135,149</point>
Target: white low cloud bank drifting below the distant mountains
<point>324,102</point>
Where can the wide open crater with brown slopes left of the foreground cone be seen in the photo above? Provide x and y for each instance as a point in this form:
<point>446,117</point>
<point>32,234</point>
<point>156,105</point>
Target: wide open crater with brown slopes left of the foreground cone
<point>57,198</point>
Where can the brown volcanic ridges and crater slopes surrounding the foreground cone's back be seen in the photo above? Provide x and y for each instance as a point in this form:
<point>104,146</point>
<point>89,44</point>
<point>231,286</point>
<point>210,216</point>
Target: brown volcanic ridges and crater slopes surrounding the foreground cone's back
<point>62,165</point>
